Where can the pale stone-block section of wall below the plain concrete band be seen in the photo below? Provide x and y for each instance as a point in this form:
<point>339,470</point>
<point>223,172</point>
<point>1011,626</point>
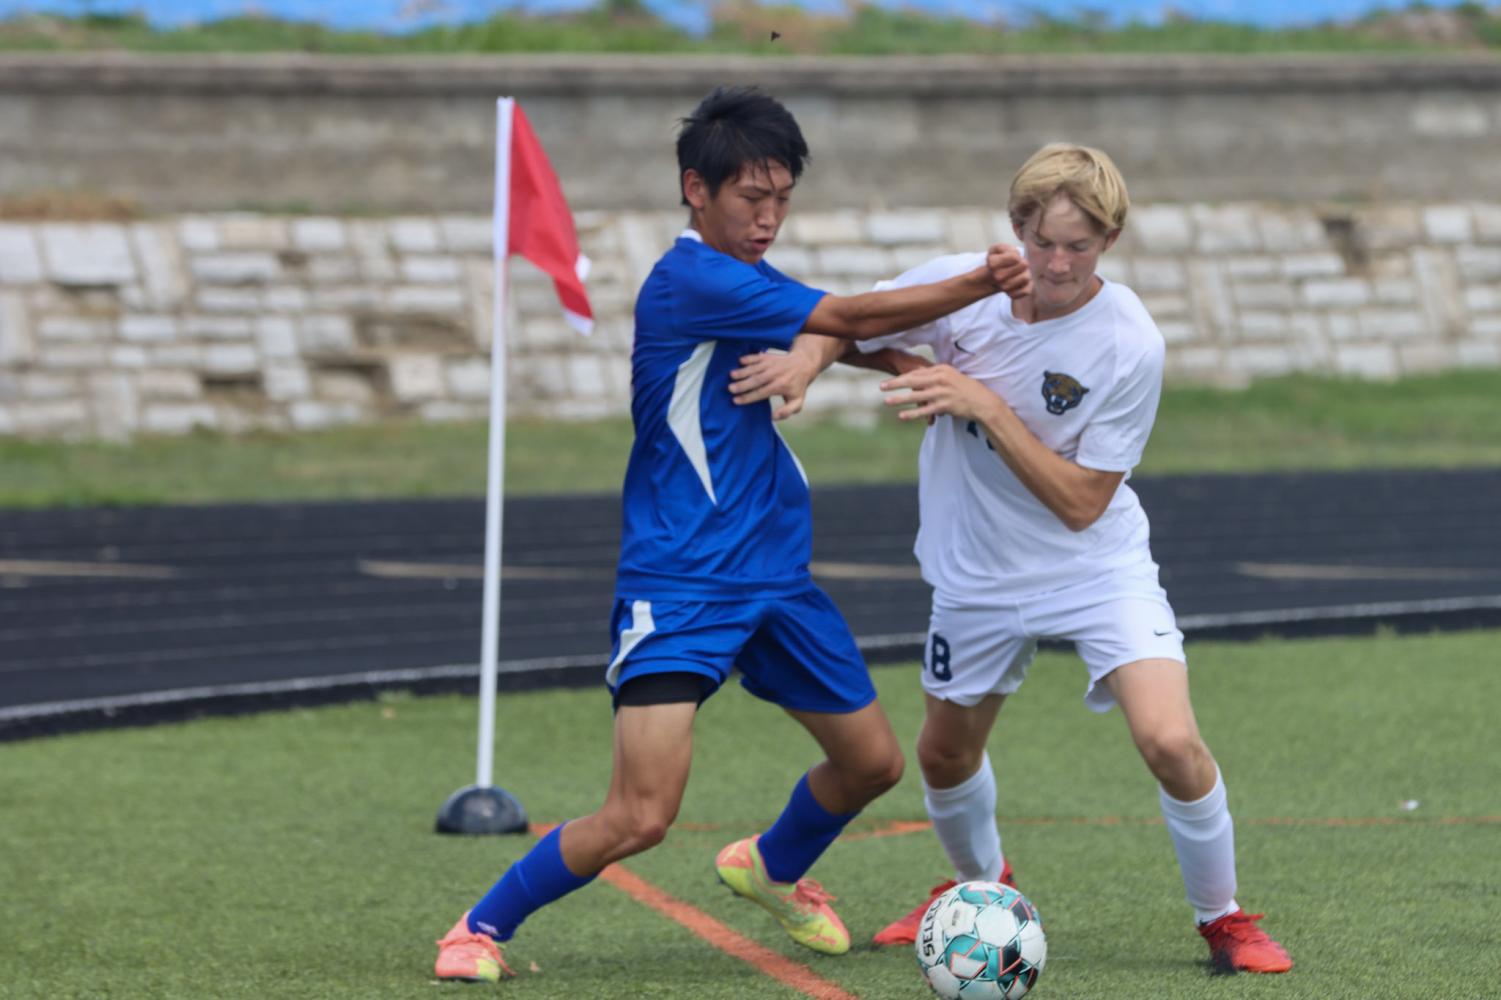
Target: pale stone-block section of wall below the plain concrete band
<point>250,321</point>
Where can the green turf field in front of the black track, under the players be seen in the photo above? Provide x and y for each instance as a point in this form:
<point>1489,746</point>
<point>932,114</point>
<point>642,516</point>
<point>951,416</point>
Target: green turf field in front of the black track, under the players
<point>290,855</point>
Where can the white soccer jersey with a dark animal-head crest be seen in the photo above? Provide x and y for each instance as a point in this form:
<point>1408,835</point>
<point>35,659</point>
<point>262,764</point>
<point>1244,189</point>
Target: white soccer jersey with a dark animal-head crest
<point>1087,385</point>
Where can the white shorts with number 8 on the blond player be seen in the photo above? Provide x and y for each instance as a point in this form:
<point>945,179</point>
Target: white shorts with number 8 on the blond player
<point>1113,621</point>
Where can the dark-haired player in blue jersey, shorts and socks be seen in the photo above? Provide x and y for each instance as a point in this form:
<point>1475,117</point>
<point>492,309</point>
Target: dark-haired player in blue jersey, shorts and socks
<point>717,543</point>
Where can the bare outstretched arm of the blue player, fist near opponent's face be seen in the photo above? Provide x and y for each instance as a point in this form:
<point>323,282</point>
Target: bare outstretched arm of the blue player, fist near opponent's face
<point>894,310</point>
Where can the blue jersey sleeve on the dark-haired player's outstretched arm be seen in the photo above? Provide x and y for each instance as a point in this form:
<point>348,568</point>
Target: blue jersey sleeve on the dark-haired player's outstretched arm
<point>729,300</point>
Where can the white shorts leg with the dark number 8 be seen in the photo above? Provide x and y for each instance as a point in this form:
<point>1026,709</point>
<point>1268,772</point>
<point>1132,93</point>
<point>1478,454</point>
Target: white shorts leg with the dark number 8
<point>975,654</point>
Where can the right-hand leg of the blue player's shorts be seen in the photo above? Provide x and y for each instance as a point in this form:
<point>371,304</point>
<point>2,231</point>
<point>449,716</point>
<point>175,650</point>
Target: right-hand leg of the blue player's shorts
<point>804,658</point>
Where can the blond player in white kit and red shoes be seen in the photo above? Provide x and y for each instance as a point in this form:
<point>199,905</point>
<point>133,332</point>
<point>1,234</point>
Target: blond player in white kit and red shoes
<point>1039,409</point>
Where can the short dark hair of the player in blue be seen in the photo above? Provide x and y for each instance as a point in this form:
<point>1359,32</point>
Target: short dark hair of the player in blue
<point>735,128</point>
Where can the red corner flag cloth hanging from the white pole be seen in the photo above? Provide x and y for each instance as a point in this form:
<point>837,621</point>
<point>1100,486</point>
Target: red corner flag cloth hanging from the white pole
<point>541,226</point>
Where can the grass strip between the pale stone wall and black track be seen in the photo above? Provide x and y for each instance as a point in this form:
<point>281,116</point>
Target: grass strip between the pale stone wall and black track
<point>1275,424</point>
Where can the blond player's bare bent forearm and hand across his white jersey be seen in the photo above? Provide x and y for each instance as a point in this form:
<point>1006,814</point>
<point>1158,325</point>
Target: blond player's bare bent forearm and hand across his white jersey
<point>1078,496</point>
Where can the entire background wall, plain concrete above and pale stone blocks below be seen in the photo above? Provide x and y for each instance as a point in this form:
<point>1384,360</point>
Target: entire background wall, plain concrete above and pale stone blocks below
<point>316,238</point>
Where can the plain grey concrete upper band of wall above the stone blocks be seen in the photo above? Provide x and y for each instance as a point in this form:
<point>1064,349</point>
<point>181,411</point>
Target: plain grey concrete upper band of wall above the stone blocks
<point>415,134</point>
